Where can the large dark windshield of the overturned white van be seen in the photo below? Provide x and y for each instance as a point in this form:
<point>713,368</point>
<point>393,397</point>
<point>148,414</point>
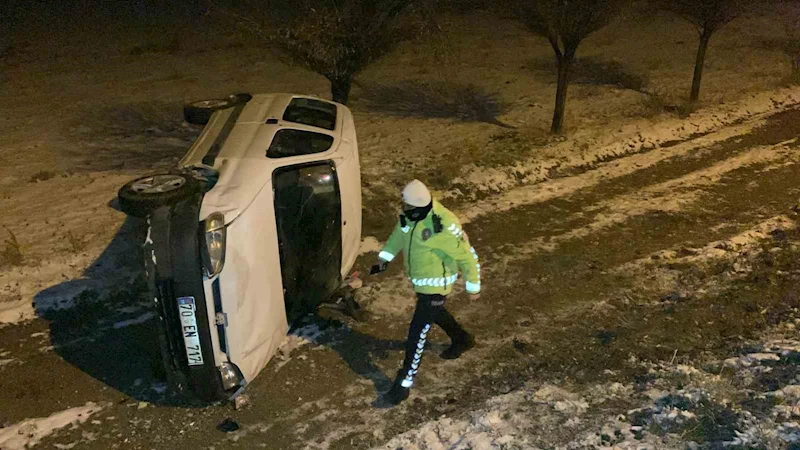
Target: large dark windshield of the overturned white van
<point>308,212</point>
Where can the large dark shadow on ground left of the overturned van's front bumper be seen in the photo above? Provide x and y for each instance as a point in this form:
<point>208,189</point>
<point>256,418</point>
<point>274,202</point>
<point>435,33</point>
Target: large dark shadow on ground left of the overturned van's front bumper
<point>102,323</point>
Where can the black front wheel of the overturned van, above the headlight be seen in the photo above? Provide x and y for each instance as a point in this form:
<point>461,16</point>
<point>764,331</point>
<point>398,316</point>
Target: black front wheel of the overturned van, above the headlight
<point>138,202</point>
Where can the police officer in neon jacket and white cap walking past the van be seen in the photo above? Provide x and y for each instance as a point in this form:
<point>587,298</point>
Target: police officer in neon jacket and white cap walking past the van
<point>435,250</point>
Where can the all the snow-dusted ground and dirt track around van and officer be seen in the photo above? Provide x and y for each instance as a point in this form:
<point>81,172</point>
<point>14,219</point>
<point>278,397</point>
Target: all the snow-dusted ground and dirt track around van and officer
<point>603,251</point>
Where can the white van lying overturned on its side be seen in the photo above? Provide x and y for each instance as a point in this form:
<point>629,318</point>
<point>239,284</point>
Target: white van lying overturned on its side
<point>258,225</point>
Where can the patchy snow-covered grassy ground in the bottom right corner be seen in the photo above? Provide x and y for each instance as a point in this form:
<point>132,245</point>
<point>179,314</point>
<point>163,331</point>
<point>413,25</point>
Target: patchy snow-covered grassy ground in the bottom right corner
<point>720,404</point>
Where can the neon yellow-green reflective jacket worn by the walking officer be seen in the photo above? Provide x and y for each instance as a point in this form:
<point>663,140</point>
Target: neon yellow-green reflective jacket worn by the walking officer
<point>433,259</point>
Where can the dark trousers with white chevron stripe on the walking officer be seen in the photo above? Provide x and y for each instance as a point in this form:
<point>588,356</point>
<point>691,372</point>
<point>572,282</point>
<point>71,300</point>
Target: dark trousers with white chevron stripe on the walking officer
<point>430,310</point>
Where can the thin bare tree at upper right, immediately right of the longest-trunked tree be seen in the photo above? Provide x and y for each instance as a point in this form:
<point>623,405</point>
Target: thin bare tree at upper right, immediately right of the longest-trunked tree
<point>708,16</point>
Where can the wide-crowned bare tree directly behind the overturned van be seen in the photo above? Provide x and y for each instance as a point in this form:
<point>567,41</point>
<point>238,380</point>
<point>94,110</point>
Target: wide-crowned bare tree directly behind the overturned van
<point>334,38</point>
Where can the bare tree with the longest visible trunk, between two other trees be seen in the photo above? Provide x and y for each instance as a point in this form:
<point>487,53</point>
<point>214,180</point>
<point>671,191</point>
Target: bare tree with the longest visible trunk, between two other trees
<point>565,24</point>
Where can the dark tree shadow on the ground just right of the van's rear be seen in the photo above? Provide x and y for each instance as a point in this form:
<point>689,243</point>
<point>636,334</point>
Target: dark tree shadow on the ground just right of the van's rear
<point>433,100</point>
